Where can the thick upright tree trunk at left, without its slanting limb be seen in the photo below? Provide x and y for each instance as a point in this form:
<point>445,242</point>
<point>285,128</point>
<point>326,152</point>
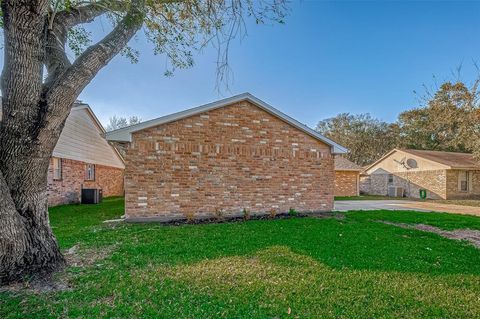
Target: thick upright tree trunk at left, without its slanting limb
<point>27,246</point>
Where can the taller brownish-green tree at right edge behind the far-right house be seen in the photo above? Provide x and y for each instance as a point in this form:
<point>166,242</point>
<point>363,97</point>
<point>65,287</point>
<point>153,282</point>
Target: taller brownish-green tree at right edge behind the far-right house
<point>448,122</point>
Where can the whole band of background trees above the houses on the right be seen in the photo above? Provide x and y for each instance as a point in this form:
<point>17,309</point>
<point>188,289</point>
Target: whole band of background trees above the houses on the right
<point>448,121</point>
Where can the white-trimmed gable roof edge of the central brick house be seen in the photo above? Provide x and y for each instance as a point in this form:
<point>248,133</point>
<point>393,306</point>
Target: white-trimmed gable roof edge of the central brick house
<point>125,134</point>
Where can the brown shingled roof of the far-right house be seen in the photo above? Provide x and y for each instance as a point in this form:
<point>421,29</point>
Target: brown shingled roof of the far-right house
<point>450,160</point>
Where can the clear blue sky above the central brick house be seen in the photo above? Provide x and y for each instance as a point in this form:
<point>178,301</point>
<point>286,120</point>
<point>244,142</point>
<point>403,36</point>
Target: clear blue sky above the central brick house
<point>329,57</point>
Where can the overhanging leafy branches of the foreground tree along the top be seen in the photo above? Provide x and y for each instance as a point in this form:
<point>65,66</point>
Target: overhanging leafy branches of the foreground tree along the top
<point>176,28</point>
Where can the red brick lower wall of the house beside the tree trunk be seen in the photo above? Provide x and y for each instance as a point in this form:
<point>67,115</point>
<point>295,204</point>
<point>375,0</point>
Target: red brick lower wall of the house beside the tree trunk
<point>68,190</point>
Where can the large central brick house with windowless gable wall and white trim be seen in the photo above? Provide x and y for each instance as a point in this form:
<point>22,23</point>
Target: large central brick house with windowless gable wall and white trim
<point>223,157</point>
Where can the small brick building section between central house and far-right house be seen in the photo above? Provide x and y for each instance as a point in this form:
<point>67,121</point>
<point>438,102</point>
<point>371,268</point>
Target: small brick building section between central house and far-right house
<point>347,177</point>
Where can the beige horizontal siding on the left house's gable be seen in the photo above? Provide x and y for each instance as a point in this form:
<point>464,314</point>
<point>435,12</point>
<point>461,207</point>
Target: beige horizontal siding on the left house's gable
<point>82,140</point>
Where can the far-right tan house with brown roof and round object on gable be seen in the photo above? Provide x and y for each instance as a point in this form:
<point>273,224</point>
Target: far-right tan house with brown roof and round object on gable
<point>444,175</point>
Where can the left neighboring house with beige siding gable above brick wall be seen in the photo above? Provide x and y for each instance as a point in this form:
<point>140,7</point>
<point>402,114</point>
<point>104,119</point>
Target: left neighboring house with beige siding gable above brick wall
<point>83,158</point>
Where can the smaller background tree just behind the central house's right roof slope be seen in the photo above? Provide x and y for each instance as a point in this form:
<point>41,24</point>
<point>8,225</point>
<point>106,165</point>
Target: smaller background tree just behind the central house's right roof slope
<point>366,138</point>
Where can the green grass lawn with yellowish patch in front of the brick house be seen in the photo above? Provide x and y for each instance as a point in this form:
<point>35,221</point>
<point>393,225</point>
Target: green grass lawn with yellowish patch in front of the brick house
<point>305,267</point>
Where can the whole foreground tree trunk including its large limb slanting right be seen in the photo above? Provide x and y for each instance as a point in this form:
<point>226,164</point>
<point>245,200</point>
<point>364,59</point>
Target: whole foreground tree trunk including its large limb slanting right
<point>34,113</point>
